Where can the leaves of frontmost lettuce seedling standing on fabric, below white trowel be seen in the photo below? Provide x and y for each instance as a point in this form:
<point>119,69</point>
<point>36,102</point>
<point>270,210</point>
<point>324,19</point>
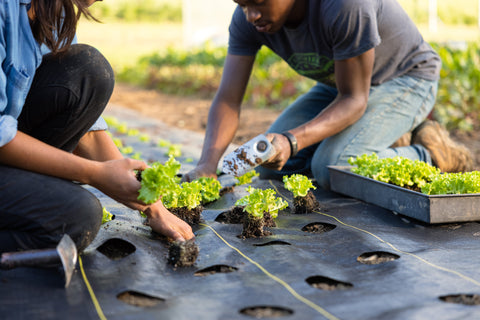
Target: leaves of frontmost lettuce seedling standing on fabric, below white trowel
<point>259,201</point>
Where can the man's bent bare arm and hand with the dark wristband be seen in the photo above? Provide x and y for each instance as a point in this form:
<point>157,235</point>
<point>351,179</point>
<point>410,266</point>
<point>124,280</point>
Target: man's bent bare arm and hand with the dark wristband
<point>353,78</point>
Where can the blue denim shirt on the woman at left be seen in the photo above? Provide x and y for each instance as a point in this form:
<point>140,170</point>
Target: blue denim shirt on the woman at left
<point>21,55</point>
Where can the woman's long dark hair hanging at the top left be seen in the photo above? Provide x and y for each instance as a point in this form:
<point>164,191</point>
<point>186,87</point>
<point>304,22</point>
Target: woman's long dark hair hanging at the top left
<point>55,22</point>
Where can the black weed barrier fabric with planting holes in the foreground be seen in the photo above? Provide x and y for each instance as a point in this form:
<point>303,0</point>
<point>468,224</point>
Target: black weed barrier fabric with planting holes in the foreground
<point>348,260</point>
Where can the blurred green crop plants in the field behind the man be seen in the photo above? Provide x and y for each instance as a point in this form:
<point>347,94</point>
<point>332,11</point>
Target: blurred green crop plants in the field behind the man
<point>274,84</point>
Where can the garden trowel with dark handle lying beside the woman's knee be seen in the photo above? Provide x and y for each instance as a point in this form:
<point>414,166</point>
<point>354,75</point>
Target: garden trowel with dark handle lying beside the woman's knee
<point>65,253</point>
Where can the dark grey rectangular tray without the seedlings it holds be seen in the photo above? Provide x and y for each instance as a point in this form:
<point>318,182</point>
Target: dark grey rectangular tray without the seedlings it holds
<point>427,208</point>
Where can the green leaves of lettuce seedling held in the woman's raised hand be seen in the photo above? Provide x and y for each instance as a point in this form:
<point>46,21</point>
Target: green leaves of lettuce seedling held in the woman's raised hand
<point>159,180</point>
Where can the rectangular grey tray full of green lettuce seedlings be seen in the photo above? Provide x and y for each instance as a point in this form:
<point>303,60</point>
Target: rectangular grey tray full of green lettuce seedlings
<point>411,188</point>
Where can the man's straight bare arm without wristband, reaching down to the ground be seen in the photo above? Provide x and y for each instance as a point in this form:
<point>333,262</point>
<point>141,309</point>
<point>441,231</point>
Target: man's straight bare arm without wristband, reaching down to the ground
<point>224,114</point>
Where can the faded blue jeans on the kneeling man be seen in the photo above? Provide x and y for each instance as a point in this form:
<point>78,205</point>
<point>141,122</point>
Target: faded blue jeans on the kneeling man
<point>394,108</point>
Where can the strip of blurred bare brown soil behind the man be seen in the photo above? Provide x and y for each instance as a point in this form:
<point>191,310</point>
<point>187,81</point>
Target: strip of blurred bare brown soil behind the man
<point>191,114</point>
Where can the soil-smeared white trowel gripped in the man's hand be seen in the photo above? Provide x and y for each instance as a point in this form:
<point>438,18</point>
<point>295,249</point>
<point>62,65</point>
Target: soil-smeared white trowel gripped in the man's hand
<point>248,156</point>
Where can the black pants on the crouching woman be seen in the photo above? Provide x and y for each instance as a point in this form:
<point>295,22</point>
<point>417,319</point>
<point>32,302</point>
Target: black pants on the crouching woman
<point>68,94</point>
